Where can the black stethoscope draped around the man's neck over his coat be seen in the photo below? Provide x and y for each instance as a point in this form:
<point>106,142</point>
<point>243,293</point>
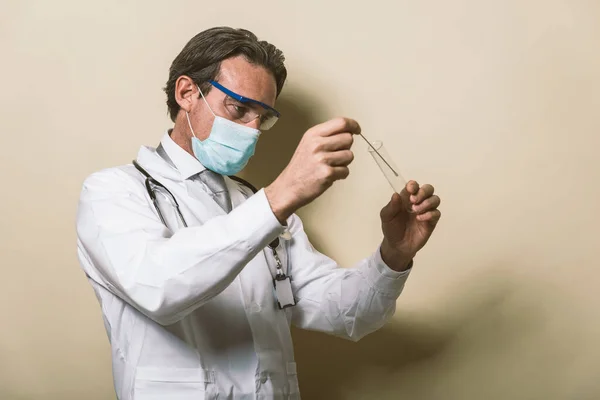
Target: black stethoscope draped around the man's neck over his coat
<point>150,182</point>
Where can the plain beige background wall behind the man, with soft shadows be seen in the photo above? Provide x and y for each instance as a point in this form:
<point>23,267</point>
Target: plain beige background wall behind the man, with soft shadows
<point>494,102</point>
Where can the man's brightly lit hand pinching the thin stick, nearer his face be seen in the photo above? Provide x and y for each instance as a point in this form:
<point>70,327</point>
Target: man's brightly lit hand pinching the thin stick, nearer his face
<point>321,158</point>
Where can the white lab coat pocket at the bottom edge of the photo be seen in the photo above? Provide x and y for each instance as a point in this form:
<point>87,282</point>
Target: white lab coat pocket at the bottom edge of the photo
<point>154,383</point>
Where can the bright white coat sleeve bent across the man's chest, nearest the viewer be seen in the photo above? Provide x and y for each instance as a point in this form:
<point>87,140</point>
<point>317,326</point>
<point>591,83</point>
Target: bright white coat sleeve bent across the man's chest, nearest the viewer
<point>124,247</point>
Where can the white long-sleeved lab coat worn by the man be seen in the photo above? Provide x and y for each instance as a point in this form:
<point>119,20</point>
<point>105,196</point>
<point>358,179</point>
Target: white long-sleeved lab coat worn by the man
<point>190,312</point>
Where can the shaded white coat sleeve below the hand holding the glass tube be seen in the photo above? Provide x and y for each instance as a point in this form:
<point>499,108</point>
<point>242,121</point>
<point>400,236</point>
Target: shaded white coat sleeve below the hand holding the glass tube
<point>346,302</point>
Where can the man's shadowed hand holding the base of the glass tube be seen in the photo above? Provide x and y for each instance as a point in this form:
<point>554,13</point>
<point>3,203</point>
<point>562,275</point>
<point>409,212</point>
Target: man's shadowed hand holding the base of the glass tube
<point>408,221</point>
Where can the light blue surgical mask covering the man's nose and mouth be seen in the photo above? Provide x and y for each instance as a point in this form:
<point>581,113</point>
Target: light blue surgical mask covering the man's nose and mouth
<point>228,147</point>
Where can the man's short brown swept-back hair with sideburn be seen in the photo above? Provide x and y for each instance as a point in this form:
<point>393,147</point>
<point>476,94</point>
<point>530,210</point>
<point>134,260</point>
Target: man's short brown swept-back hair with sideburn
<point>201,59</point>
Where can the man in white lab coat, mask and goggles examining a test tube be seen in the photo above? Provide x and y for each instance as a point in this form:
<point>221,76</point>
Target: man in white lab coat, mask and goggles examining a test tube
<point>198,276</point>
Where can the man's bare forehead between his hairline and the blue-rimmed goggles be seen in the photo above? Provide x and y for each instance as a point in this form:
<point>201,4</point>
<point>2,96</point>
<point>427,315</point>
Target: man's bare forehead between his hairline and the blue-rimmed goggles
<point>247,79</point>
